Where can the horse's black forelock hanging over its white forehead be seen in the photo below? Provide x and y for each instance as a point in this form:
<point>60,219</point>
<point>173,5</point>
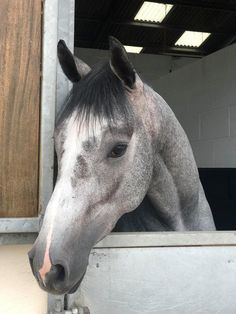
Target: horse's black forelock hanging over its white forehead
<point>100,94</point>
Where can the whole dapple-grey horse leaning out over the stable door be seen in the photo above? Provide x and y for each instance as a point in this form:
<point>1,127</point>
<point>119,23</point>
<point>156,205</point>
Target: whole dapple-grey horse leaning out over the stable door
<point>118,145</point>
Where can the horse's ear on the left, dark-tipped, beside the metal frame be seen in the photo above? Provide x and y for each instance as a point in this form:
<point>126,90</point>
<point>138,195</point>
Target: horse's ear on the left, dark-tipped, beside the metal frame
<point>72,67</point>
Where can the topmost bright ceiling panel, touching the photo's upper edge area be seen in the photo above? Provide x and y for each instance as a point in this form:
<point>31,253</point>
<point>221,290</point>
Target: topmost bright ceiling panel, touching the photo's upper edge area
<point>153,12</point>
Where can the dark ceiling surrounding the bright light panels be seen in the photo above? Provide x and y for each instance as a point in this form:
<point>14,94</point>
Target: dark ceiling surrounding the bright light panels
<point>95,20</point>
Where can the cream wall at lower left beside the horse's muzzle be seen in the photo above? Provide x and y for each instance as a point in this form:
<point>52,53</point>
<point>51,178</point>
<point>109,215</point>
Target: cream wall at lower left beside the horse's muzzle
<point>19,292</point>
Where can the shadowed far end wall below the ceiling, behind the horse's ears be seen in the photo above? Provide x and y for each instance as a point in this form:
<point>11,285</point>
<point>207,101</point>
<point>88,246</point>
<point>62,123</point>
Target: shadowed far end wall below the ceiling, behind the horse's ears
<point>150,67</point>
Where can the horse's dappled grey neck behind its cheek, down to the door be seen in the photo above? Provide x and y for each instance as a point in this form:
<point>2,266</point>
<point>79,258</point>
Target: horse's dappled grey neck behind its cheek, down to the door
<point>175,199</point>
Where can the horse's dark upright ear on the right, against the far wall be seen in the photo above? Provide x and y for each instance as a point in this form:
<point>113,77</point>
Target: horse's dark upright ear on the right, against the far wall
<point>120,63</point>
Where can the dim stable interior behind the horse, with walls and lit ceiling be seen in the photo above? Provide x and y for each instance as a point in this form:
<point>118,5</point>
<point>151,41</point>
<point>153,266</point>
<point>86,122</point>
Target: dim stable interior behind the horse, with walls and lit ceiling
<point>186,51</point>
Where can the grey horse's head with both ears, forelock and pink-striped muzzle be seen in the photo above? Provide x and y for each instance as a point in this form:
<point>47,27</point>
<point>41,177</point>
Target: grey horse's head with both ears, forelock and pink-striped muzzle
<point>103,141</point>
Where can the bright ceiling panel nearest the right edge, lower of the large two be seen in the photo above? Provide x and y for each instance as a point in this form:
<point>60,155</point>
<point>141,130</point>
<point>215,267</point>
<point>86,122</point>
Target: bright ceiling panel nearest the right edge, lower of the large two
<point>192,39</point>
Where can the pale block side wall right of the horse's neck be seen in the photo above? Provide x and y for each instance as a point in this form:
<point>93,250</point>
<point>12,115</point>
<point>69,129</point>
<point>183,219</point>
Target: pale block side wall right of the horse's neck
<point>203,97</point>
